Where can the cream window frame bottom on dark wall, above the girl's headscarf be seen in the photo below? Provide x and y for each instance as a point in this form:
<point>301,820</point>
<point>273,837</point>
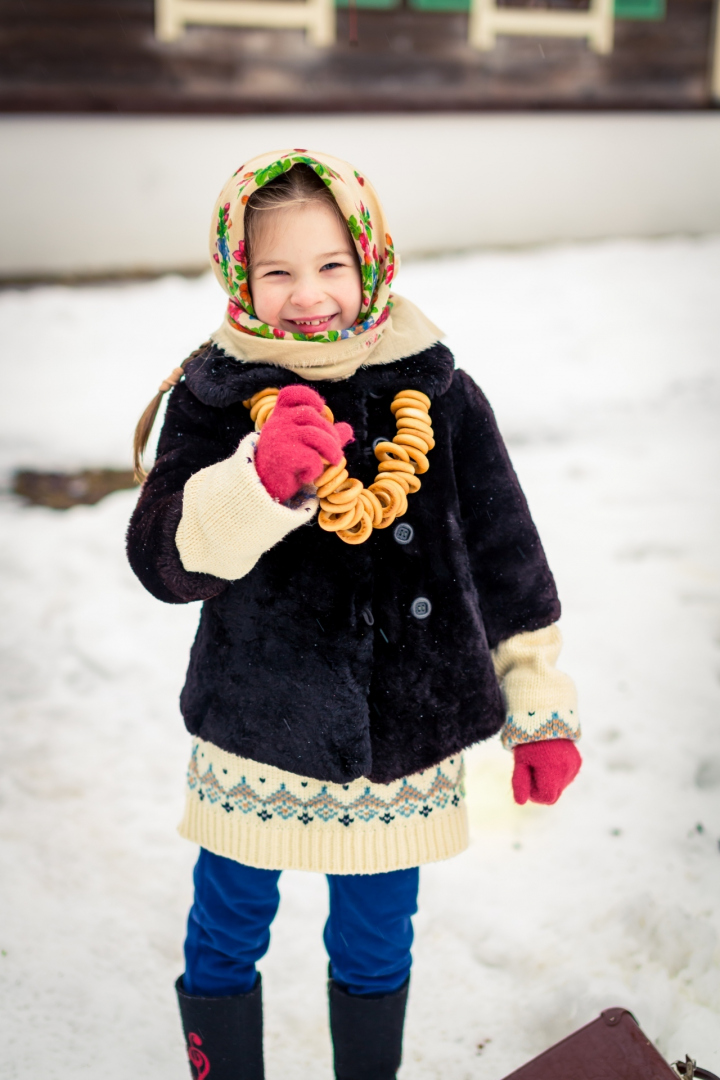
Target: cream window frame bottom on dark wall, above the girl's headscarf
<point>315,17</point>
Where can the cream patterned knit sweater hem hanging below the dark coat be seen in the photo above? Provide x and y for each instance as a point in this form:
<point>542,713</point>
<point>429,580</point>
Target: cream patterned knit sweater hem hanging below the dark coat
<point>267,818</point>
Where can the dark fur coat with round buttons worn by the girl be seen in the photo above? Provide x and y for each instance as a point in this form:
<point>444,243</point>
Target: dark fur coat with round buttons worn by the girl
<point>316,663</point>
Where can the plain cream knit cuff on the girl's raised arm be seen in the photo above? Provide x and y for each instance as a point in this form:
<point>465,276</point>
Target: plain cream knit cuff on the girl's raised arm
<point>229,520</point>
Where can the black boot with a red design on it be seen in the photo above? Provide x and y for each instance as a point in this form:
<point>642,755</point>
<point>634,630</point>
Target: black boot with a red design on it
<point>224,1036</point>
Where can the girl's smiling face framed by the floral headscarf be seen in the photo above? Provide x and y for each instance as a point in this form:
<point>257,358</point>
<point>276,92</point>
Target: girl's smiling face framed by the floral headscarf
<point>305,276</point>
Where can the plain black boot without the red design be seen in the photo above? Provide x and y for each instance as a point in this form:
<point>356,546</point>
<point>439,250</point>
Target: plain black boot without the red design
<point>368,1034</point>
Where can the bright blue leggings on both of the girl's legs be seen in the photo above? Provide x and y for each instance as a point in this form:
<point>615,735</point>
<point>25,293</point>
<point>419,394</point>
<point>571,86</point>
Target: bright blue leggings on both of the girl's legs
<point>369,934</point>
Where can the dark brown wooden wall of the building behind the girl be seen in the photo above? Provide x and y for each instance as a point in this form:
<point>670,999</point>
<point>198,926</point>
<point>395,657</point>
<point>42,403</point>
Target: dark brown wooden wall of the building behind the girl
<point>103,57</point>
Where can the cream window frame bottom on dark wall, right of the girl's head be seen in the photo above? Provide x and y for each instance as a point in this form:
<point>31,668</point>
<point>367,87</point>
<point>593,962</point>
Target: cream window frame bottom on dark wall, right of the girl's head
<point>597,24</point>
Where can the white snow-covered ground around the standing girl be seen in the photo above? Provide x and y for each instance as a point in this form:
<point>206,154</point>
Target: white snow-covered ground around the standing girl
<point>603,364</point>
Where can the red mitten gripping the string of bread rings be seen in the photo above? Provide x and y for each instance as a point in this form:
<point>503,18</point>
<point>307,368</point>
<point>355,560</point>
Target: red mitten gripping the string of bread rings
<point>294,442</point>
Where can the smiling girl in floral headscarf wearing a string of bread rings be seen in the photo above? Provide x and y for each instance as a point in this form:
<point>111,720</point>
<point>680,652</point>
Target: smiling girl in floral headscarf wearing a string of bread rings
<point>376,601</point>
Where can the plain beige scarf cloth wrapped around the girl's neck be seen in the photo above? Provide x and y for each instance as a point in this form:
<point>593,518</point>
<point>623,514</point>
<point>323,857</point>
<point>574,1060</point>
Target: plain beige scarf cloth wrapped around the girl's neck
<point>405,333</point>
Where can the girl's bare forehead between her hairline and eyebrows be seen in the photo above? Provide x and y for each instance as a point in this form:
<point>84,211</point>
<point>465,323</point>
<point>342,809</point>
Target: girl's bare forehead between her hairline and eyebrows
<point>300,228</point>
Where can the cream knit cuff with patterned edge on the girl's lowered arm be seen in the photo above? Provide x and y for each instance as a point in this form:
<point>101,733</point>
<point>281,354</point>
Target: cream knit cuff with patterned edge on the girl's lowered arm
<point>541,703</point>
